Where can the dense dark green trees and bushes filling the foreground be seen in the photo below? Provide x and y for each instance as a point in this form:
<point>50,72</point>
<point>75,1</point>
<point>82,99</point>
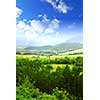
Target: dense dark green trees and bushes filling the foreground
<point>37,80</point>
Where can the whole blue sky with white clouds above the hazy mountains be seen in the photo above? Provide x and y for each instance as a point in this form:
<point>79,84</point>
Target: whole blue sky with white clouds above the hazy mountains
<point>48,22</point>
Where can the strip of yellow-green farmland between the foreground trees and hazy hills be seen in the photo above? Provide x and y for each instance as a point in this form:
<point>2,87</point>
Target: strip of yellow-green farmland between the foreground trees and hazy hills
<point>48,54</point>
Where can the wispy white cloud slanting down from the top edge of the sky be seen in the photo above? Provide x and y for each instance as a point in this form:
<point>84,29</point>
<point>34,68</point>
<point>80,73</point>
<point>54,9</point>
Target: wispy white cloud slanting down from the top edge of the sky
<point>59,5</point>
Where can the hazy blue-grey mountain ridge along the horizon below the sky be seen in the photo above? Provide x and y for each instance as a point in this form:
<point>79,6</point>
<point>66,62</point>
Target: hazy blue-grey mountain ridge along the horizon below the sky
<point>59,48</point>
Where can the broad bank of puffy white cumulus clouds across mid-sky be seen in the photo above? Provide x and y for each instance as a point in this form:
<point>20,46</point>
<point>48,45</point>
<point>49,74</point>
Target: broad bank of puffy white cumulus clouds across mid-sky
<point>38,26</point>
